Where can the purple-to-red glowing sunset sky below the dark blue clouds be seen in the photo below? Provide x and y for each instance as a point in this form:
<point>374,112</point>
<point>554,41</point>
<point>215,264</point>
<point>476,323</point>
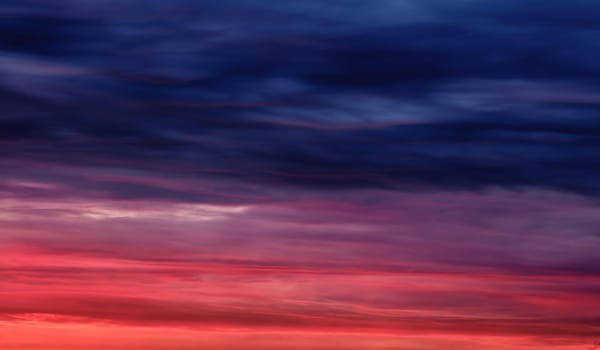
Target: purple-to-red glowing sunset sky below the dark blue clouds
<point>301,274</point>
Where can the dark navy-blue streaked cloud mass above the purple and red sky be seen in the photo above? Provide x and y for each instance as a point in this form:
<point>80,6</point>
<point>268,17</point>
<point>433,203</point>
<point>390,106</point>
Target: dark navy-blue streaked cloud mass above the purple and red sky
<point>315,95</point>
